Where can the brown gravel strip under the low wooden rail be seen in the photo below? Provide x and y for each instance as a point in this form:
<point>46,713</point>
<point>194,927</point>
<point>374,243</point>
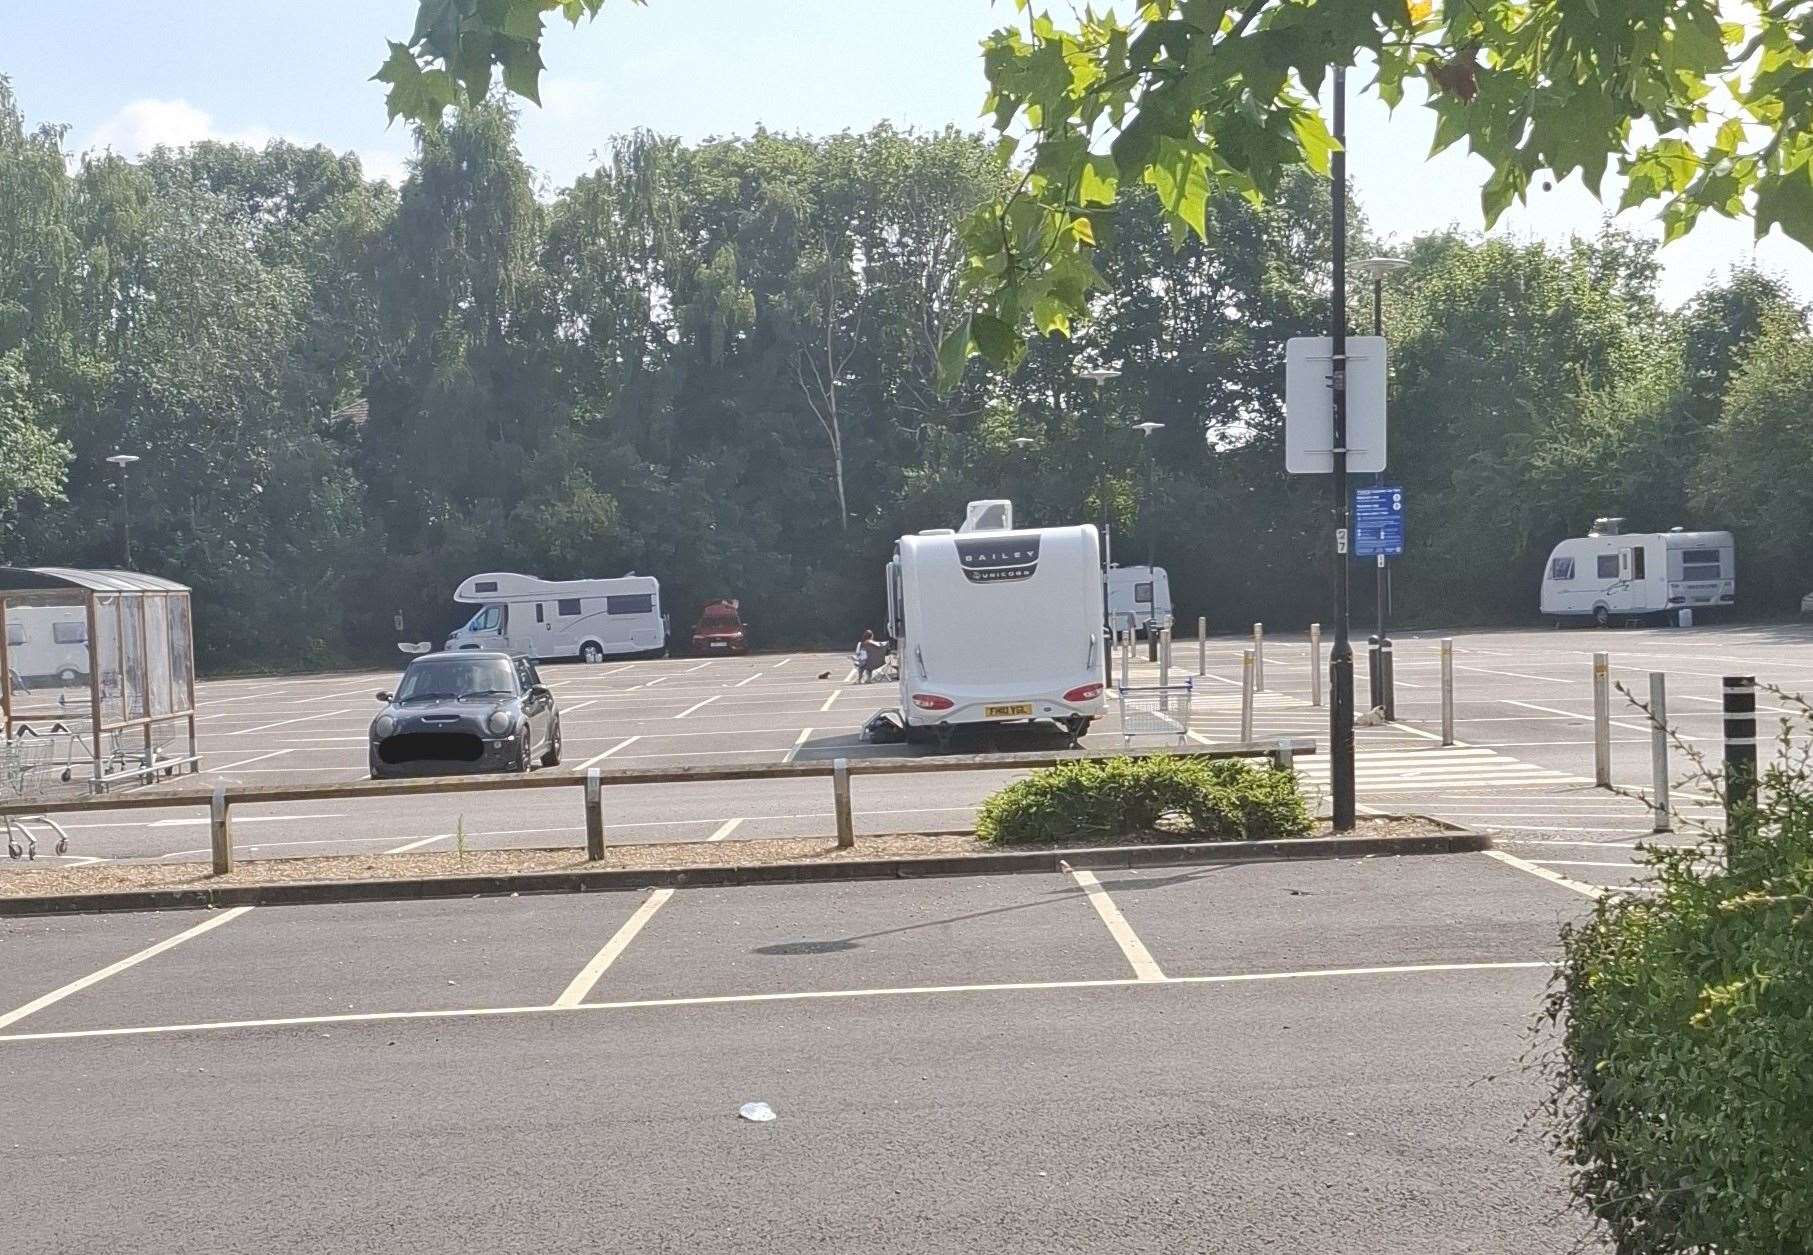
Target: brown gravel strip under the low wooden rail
<point>92,879</point>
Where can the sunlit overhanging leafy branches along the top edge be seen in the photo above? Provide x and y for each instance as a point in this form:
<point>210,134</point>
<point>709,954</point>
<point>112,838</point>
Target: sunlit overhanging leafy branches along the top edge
<point>1703,106</point>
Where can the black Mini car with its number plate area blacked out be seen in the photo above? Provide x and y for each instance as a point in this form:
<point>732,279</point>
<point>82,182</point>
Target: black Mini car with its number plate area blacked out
<point>465,712</point>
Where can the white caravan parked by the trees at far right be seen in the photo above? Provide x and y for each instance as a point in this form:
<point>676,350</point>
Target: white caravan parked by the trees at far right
<point>1614,576</point>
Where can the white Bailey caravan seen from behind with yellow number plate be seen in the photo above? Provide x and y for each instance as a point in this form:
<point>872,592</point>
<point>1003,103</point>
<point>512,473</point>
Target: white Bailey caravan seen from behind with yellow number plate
<point>998,627</point>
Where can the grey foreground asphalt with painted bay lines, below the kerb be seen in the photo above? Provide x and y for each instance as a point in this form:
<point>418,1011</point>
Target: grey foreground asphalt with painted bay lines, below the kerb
<point>1237,1058</point>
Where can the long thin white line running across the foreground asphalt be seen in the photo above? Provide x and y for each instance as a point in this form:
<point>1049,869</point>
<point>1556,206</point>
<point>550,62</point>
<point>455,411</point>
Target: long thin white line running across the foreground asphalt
<point>791,997</point>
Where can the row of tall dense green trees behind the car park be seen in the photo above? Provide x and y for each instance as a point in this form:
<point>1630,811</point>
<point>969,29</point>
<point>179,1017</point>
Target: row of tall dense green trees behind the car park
<point>721,365</point>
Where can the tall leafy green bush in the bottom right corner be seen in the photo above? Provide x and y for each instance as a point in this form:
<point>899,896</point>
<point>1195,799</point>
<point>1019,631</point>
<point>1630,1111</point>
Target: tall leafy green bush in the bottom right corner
<point>1685,1078</point>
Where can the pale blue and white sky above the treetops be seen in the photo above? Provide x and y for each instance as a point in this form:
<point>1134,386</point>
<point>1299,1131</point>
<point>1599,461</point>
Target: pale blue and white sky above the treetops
<point>135,73</point>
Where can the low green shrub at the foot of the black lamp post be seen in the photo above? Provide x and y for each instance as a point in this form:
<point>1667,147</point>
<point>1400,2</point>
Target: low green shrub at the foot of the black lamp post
<point>1114,799</point>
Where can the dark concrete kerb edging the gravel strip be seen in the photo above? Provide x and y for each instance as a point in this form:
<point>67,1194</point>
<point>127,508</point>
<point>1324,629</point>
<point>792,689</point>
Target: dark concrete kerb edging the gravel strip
<point>1451,841</point>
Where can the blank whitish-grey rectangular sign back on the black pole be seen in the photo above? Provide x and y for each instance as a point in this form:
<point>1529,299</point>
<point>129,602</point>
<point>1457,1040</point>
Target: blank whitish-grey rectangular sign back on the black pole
<point>1310,405</point>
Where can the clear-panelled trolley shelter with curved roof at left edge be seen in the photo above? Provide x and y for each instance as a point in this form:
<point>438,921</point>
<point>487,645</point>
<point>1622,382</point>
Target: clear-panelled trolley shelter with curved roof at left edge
<point>101,677</point>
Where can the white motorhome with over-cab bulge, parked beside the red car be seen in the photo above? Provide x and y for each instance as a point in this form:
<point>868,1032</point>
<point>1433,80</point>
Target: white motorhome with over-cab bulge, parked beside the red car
<point>563,619</point>
